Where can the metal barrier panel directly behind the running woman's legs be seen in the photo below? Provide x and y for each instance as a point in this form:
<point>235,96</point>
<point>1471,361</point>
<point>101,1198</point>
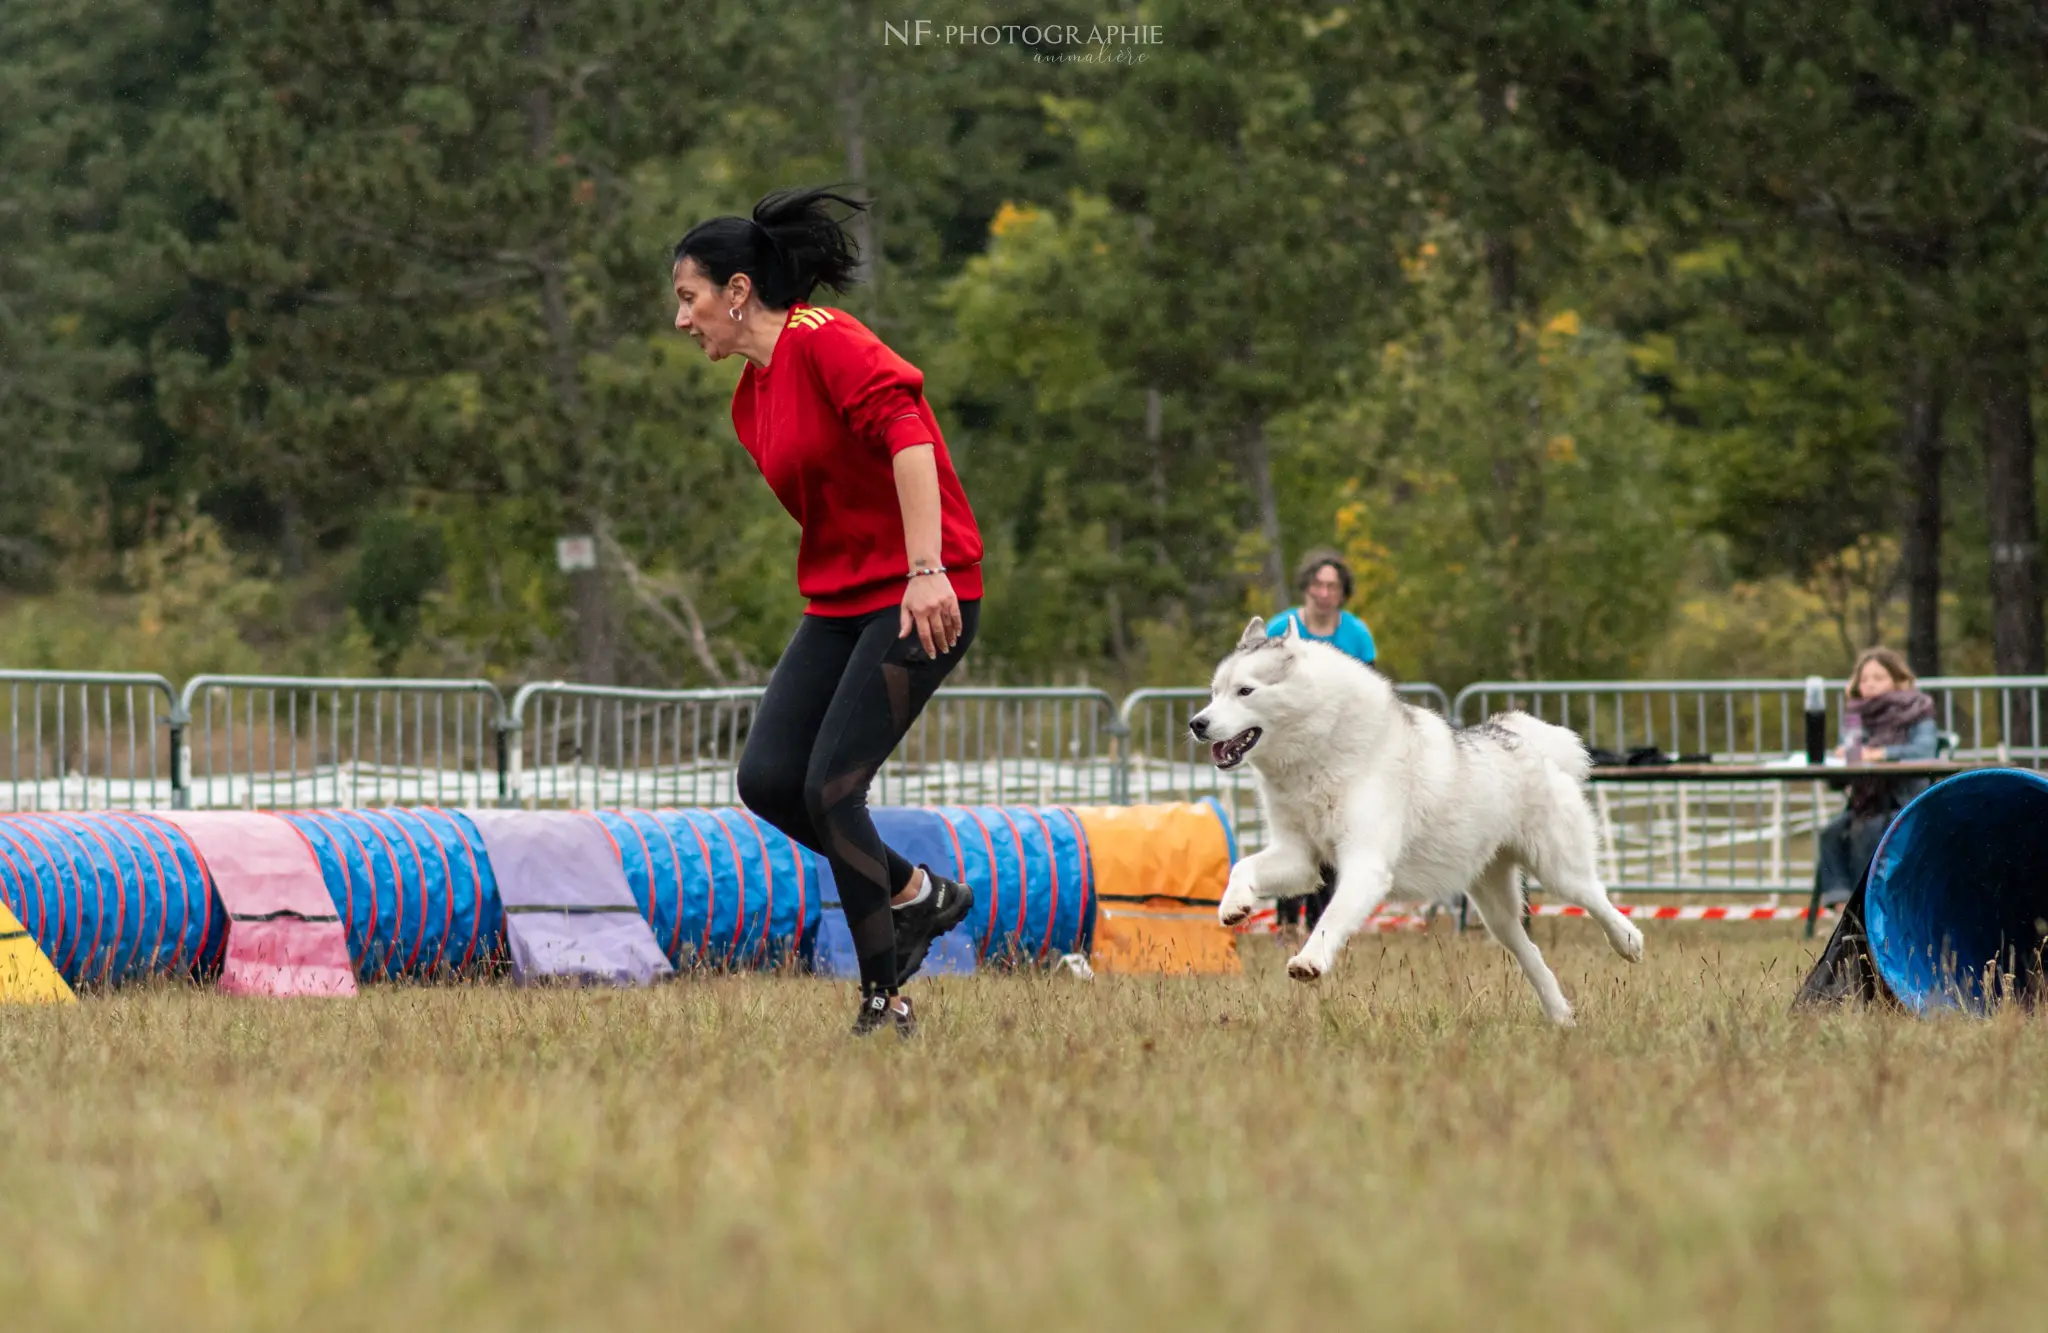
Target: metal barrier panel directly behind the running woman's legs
<point>593,746</point>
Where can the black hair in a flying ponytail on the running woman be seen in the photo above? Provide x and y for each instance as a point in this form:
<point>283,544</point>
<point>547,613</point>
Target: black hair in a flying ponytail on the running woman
<point>790,247</point>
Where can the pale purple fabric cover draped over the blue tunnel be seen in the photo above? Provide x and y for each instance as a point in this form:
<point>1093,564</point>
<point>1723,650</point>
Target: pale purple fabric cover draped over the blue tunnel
<point>568,910</point>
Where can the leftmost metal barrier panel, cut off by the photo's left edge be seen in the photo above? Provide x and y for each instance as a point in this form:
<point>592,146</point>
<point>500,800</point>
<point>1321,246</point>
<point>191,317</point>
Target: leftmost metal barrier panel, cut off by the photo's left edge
<point>87,740</point>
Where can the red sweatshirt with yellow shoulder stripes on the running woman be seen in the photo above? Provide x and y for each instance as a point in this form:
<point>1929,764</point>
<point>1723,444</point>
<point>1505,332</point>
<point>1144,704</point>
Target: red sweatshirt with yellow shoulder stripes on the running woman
<point>826,423</point>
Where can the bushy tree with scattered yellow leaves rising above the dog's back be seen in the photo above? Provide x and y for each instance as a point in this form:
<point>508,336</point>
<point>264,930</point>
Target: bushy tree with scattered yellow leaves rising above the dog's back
<point>1510,507</point>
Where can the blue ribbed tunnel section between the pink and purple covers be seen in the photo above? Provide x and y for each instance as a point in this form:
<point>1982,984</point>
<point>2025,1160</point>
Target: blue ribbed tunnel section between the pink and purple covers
<point>415,890</point>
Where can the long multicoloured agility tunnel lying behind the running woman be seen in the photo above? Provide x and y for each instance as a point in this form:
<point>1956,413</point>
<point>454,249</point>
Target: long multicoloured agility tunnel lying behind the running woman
<point>314,902</point>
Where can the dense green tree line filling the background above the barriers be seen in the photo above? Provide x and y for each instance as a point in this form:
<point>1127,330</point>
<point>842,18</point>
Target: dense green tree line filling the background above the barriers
<point>1603,339</point>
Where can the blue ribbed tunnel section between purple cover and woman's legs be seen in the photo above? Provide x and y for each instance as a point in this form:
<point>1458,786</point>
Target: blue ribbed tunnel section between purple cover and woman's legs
<point>720,888</point>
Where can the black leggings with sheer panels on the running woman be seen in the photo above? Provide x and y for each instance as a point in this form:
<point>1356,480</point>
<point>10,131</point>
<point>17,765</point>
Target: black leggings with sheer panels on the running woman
<point>839,703</point>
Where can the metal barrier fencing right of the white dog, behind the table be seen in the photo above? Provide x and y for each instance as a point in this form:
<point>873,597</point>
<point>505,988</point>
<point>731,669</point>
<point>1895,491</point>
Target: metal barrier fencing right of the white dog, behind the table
<point>1742,836</point>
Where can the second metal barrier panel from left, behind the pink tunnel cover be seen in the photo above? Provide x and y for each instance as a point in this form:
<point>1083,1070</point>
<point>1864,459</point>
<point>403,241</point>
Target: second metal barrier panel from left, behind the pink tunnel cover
<point>284,742</point>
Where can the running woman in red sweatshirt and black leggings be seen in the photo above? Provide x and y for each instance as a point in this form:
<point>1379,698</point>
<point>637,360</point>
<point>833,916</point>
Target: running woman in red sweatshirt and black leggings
<point>890,562</point>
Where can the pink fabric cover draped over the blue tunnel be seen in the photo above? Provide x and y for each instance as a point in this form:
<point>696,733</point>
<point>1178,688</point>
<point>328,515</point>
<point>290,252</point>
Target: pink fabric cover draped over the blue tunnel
<point>284,935</point>
